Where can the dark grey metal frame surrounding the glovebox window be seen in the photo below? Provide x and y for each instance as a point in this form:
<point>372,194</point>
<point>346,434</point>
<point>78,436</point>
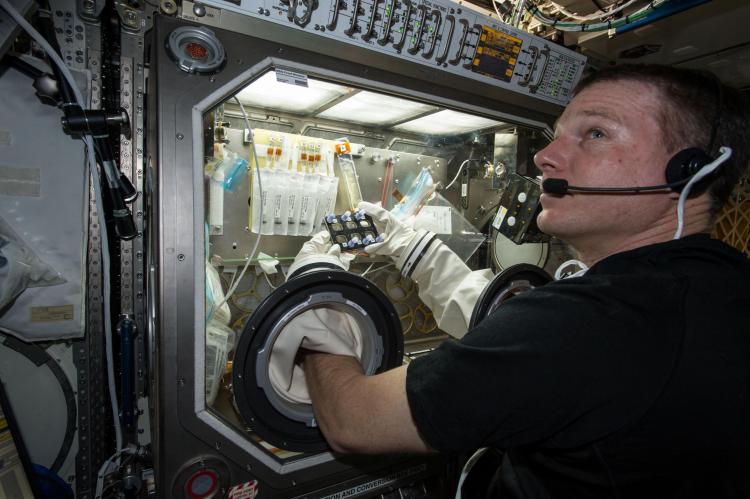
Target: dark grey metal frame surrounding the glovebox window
<point>182,422</point>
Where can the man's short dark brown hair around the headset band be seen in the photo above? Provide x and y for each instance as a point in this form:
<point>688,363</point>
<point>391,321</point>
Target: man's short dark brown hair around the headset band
<point>695,105</point>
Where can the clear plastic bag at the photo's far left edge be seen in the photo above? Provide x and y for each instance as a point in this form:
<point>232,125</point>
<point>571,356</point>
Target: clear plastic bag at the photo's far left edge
<point>20,268</point>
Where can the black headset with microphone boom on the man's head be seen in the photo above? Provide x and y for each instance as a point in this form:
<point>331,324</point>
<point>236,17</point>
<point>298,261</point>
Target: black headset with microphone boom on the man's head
<point>681,168</point>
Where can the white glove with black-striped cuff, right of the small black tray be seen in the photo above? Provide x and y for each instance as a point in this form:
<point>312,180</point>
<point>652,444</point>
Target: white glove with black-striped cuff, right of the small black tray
<point>448,287</point>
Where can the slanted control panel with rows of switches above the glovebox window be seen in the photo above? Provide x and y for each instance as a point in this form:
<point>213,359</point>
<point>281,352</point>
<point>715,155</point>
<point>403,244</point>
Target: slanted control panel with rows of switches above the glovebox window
<point>440,34</point>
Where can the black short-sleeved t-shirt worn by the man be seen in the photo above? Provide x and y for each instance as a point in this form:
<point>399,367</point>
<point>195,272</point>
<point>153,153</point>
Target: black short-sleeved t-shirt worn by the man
<point>632,380</point>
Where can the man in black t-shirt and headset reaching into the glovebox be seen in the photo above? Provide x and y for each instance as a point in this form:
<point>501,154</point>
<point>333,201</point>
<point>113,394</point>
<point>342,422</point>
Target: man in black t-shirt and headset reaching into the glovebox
<point>630,380</point>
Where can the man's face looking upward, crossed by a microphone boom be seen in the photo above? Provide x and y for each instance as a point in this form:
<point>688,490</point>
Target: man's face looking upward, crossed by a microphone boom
<point>608,136</point>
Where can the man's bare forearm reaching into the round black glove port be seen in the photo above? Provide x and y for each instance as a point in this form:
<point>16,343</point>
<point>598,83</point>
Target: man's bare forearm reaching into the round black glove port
<point>358,413</point>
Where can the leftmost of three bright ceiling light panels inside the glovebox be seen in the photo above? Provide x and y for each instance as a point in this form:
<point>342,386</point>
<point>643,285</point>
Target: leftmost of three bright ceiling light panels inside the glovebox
<point>268,93</point>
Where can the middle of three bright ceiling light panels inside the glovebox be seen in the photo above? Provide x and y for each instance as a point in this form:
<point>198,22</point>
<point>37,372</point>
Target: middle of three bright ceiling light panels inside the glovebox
<point>369,108</point>
